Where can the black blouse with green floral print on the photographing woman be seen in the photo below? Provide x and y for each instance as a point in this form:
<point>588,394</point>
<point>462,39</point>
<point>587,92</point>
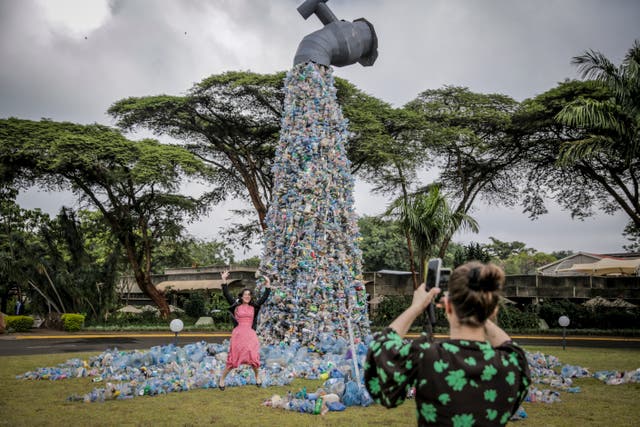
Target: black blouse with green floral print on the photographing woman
<point>458,382</point>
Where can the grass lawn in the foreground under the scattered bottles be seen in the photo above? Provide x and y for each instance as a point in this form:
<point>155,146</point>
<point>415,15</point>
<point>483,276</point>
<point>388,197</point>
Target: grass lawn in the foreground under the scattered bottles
<point>44,402</point>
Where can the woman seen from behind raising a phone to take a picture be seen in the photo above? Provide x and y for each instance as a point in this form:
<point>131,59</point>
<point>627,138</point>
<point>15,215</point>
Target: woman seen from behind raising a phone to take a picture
<point>476,377</point>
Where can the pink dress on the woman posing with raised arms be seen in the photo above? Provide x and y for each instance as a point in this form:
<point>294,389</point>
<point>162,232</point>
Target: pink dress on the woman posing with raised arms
<point>244,348</point>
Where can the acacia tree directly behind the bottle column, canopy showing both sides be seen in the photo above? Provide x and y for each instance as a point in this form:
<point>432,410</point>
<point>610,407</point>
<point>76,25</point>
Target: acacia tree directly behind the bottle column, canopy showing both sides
<point>232,122</point>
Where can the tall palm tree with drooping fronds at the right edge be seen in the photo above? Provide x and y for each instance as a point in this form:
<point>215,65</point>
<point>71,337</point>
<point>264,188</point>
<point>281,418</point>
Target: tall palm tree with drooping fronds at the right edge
<point>611,125</point>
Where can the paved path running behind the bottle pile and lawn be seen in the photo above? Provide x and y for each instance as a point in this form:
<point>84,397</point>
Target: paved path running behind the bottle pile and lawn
<point>49,342</point>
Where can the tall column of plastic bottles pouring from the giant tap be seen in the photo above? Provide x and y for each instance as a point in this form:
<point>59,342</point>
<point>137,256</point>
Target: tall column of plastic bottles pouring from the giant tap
<point>310,244</point>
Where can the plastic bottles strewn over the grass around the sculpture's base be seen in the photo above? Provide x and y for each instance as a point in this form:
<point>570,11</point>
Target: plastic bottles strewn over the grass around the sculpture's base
<point>167,369</point>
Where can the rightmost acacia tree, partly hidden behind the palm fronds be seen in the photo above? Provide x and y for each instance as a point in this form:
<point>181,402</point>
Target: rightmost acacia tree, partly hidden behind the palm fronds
<point>566,163</point>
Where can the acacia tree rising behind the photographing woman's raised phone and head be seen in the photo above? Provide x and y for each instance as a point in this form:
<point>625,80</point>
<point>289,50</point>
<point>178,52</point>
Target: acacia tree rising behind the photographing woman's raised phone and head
<point>471,144</point>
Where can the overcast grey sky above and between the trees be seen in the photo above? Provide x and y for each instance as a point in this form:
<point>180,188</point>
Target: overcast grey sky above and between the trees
<point>69,60</point>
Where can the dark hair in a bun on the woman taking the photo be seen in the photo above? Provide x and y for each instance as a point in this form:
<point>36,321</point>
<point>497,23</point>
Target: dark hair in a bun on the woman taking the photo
<point>474,291</point>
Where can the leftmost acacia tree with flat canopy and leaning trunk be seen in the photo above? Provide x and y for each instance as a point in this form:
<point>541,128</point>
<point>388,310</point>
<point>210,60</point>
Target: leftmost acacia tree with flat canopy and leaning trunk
<point>134,185</point>
